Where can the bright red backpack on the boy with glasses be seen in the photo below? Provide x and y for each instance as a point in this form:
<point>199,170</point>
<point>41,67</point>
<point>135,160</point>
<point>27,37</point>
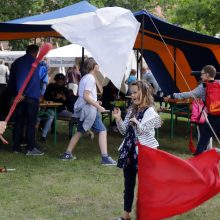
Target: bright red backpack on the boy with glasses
<point>213,97</point>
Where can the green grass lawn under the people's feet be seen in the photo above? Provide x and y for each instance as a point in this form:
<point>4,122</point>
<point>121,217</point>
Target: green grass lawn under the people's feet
<point>48,188</point>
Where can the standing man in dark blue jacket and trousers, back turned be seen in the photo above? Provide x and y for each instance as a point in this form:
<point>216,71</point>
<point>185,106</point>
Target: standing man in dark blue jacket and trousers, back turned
<point>28,106</point>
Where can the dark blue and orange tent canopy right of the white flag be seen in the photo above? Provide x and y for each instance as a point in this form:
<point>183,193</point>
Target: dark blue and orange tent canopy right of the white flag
<point>189,50</point>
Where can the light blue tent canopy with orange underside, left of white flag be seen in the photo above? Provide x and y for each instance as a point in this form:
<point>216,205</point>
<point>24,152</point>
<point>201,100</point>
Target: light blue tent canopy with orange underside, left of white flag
<point>40,25</point>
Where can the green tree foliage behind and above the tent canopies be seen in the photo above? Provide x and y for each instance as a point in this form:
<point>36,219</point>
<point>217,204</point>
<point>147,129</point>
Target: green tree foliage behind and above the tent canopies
<point>197,15</point>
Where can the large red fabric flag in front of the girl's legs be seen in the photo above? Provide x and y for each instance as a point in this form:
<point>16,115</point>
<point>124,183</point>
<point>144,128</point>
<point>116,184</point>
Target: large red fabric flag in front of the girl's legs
<point>169,185</point>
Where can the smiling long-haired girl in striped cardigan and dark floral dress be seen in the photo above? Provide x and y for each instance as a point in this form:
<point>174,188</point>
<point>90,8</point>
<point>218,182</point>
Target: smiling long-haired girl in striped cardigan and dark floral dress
<point>138,126</point>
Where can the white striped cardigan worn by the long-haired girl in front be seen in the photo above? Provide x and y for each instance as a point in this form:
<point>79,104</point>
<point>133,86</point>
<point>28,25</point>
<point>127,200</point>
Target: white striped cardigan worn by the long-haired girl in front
<point>145,128</point>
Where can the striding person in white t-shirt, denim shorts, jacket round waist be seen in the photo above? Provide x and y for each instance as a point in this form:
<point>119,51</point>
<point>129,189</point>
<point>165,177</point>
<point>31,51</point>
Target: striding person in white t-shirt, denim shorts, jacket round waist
<point>87,108</point>
